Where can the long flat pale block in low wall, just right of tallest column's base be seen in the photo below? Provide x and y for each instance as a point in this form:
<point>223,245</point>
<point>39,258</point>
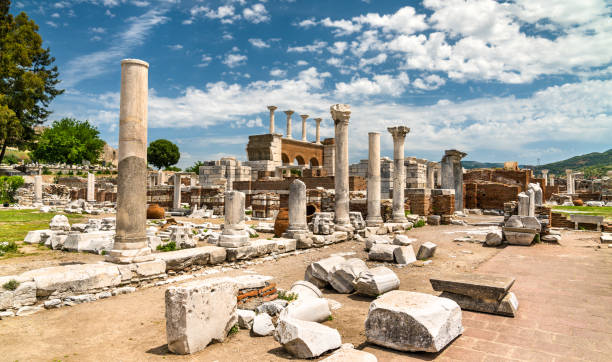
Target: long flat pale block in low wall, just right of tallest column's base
<point>180,259</point>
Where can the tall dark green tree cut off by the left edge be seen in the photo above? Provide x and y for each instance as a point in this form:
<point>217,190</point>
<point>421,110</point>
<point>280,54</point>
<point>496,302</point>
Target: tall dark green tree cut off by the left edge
<point>28,78</point>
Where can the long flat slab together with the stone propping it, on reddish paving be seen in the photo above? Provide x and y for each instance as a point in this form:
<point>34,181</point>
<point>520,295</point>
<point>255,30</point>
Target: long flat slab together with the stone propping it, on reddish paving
<point>479,292</point>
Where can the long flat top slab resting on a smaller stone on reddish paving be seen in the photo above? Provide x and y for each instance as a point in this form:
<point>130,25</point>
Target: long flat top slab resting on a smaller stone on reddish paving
<point>480,286</point>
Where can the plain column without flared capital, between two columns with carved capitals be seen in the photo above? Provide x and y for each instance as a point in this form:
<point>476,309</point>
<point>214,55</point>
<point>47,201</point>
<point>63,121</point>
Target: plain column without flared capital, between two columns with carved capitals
<point>374,218</point>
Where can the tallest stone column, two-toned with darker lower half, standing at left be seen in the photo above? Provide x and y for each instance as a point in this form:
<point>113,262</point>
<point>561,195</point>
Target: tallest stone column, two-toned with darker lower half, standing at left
<point>131,238</point>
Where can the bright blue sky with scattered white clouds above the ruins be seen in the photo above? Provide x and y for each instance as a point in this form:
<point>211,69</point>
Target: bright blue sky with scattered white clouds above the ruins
<point>511,80</point>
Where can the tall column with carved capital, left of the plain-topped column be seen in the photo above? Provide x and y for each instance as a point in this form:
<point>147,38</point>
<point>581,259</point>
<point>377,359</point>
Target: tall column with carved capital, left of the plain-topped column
<point>341,114</point>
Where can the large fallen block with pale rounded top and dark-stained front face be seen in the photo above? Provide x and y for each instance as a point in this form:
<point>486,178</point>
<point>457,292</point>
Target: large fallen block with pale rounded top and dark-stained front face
<point>409,321</point>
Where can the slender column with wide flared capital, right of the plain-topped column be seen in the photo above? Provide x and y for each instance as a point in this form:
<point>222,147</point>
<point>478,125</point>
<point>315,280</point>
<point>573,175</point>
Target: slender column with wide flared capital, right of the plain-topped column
<point>399,172</point>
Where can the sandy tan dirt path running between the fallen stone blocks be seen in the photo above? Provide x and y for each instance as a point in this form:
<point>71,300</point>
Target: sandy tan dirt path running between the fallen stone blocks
<point>132,327</point>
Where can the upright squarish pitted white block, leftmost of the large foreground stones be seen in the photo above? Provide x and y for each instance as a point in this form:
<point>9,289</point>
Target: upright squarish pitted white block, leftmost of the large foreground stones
<point>198,313</point>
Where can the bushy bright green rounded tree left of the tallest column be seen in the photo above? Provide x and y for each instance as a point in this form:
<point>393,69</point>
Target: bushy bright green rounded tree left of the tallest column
<point>69,141</point>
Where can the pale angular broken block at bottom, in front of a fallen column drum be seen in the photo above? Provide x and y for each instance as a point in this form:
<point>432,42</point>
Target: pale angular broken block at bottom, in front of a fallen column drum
<point>305,339</point>
